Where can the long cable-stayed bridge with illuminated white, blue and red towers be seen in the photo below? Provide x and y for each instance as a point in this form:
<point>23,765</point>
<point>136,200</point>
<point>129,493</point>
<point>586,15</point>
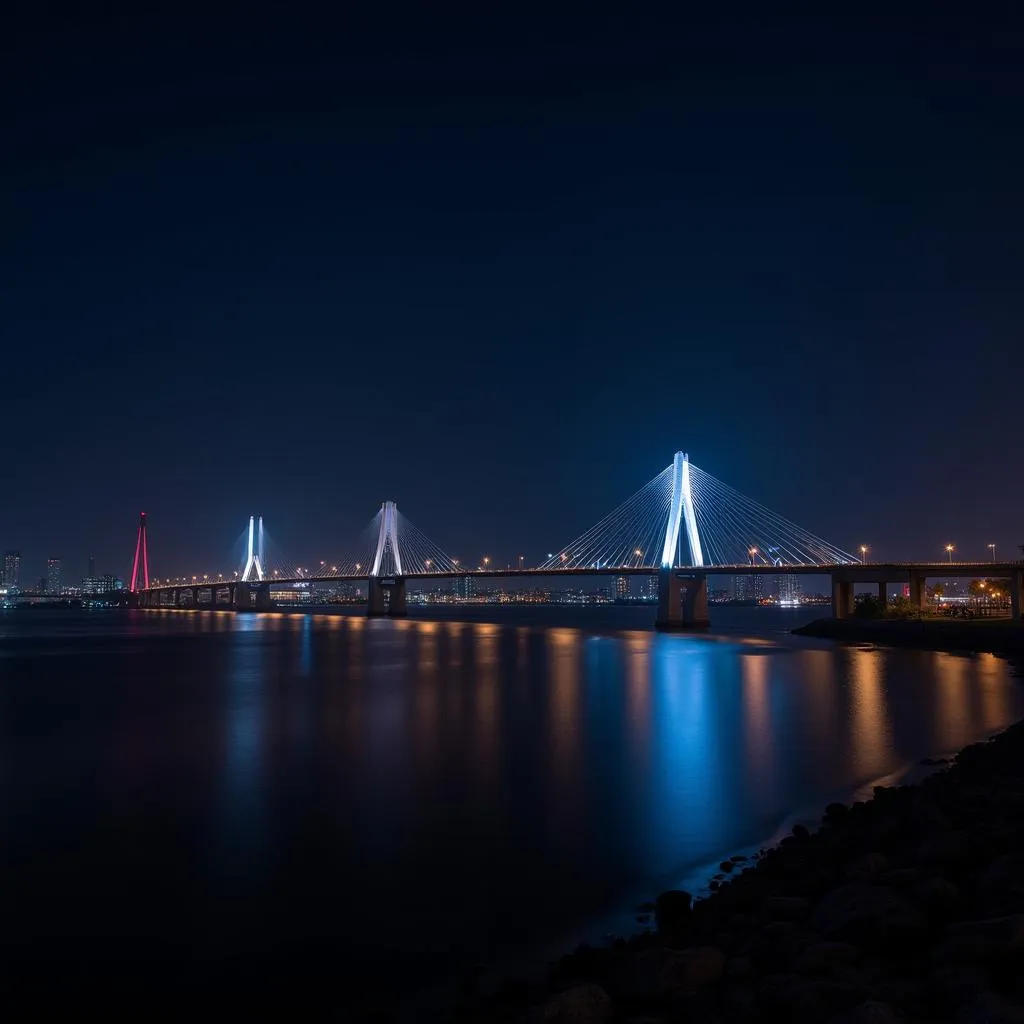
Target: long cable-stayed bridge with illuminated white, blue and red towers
<point>684,526</point>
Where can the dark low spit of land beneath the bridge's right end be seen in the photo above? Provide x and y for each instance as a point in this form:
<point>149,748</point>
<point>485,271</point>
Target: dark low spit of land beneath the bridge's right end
<point>988,636</point>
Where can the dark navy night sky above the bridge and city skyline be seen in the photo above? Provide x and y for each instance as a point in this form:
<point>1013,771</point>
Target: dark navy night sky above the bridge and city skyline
<point>500,270</point>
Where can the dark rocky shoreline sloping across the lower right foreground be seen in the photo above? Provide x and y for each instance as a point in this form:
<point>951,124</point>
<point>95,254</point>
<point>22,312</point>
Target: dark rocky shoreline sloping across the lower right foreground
<point>906,908</point>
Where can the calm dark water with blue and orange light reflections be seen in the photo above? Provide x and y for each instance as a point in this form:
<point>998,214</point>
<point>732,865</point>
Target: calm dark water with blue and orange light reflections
<point>191,798</point>
